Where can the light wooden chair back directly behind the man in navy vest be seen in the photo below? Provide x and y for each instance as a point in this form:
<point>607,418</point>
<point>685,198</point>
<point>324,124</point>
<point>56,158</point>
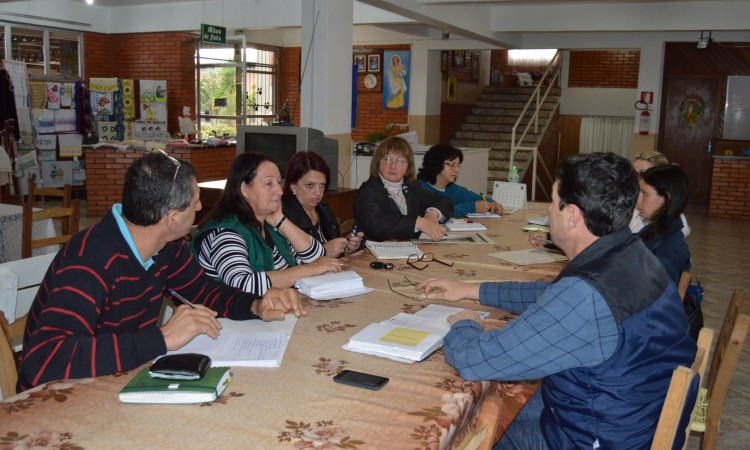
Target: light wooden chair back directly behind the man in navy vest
<point>674,420</point>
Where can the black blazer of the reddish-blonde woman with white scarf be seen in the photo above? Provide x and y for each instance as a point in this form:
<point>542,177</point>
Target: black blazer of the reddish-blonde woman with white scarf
<point>378,216</point>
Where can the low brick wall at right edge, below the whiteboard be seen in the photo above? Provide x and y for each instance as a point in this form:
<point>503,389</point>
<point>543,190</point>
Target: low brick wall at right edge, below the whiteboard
<point>730,189</point>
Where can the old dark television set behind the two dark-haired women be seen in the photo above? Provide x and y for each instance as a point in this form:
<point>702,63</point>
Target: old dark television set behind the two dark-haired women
<point>279,143</point>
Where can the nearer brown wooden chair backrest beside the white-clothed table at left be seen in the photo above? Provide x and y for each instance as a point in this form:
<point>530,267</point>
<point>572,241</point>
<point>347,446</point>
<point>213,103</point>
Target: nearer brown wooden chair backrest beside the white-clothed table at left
<point>69,216</point>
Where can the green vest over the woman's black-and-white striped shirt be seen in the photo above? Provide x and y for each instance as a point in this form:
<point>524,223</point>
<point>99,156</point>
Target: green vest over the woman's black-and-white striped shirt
<point>260,256</point>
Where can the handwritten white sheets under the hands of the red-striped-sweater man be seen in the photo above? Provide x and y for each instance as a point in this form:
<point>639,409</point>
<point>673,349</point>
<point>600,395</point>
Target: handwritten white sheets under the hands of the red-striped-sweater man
<point>246,343</point>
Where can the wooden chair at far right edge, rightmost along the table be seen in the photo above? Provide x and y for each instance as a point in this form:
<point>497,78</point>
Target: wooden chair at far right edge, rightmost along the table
<point>728,348</point>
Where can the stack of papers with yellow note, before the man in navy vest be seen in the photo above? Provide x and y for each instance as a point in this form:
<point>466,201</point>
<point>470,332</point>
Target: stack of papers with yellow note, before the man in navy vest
<point>405,337</point>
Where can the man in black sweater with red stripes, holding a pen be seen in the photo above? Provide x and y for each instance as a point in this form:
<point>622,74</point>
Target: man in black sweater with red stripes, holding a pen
<point>97,309</point>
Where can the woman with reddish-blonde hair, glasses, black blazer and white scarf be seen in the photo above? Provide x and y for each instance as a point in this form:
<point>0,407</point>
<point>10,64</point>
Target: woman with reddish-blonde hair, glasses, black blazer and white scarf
<point>392,204</point>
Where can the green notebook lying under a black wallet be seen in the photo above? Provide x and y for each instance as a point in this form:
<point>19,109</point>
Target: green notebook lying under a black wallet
<point>145,389</point>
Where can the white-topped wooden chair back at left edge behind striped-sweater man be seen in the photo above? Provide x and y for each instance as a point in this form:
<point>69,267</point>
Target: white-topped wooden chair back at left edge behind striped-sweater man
<point>19,282</point>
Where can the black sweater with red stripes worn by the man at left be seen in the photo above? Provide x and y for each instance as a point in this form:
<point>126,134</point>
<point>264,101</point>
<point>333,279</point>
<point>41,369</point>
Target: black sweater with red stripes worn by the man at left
<point>96,311</point>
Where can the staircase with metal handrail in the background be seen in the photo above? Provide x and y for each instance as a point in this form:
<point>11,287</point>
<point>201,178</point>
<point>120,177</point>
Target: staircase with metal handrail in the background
<point>490,124</point>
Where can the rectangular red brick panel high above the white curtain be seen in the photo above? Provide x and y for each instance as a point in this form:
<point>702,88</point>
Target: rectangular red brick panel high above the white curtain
<point>605,69</point>
